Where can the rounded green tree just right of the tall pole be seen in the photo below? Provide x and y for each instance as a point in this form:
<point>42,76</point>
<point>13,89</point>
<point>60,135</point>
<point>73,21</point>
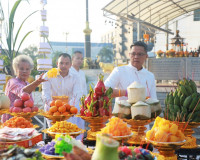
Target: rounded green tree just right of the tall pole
<point>106,55</point>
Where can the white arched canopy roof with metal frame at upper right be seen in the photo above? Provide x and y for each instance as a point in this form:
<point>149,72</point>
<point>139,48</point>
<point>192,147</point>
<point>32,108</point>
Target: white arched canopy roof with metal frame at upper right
<point>152,13</point>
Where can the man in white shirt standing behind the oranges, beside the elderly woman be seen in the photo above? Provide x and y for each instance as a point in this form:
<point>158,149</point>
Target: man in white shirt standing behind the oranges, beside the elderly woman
<point>65,84</point>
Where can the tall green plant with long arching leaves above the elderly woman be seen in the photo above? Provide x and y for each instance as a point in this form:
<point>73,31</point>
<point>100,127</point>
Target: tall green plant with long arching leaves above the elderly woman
<point>10,48</point>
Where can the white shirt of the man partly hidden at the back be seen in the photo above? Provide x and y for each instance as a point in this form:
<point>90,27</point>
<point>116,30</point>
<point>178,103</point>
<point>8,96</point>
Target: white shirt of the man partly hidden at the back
<point>82,78</point>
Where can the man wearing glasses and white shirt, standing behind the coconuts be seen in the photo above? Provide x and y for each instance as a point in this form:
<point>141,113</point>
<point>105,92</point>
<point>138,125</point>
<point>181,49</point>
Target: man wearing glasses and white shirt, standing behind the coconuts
<point>122,77</point>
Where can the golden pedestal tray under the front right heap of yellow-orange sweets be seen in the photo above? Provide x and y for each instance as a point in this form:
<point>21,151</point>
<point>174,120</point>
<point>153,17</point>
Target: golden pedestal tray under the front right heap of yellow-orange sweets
<point>166,149</point>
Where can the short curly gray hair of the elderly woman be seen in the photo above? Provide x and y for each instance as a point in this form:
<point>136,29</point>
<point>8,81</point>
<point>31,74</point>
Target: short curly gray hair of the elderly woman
<point>22,58</point>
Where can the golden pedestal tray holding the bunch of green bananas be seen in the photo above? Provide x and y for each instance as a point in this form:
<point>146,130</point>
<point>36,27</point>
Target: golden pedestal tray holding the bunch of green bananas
<point>190,140</point>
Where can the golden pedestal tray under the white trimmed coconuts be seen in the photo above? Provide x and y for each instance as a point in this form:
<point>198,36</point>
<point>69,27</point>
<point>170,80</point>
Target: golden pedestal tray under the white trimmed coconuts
<point>138,128</point>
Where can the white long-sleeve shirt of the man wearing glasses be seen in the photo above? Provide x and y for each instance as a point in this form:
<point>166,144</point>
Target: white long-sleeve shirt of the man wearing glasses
<point>122,77</point>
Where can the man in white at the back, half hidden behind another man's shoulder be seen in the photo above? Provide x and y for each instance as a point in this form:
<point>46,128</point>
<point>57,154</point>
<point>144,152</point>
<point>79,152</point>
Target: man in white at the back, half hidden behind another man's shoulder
<point>77,61</point>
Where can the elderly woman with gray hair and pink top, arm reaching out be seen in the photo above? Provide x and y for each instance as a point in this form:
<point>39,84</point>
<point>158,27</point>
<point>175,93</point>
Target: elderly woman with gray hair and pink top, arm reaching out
<point>22,66</point>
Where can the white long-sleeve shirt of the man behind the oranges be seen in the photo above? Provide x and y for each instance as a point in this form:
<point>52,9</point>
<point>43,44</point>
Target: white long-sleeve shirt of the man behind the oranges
<point>62,86</point>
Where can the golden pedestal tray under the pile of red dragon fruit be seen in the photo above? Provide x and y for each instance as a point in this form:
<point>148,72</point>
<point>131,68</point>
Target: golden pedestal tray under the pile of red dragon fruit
<point>96,124</point>
